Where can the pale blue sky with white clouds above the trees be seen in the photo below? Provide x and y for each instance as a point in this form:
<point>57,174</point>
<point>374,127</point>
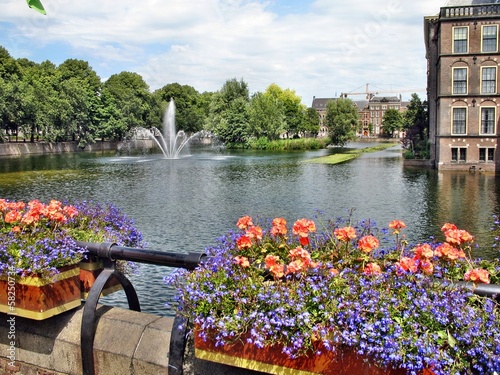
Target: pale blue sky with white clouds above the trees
<point>318,48</point>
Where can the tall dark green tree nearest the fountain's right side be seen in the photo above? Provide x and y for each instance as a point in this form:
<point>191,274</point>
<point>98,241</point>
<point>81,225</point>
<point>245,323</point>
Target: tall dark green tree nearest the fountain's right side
<point>228,116</point>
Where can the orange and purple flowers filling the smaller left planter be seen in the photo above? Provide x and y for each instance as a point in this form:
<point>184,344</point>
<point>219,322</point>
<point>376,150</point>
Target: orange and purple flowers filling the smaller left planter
<point>37,239</point>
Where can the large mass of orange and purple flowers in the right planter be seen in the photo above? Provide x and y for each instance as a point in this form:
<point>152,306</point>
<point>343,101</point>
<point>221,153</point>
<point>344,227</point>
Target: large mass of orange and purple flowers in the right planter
<point>397,304</point>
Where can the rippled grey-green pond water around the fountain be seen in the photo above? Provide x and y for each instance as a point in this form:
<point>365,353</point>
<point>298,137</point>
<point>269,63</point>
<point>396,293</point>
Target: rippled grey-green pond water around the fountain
<point>185,204</point>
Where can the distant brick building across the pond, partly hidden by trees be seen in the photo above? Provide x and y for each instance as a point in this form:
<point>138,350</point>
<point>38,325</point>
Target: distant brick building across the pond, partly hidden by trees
<point>371,113</point>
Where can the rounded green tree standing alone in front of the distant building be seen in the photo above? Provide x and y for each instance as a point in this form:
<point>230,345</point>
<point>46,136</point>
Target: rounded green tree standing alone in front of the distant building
<point>341,120</point>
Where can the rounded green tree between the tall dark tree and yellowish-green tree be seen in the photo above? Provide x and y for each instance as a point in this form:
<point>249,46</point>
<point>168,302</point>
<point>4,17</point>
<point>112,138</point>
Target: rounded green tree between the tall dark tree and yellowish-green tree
<point>266,116</point>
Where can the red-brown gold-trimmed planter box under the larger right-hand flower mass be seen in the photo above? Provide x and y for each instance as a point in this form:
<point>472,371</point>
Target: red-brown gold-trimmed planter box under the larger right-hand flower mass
<point>272,360</point>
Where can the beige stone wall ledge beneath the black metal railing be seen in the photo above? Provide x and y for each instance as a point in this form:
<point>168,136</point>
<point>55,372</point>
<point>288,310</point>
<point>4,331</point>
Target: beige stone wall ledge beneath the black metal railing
<point>126,342</point>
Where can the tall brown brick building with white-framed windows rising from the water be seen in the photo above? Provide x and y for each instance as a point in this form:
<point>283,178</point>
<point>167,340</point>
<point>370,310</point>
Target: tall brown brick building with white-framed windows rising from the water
<point>463,57</point>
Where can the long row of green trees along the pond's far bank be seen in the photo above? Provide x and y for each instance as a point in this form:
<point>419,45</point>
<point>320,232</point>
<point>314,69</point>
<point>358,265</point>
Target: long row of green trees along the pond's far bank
<point>70,102</point>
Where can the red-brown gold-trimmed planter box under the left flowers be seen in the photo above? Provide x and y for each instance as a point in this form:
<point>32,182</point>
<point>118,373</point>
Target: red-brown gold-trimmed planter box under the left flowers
<point>40,298</point>
